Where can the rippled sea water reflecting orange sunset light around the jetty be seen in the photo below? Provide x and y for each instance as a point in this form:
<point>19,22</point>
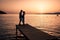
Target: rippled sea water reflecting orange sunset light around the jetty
<point>47,23</point>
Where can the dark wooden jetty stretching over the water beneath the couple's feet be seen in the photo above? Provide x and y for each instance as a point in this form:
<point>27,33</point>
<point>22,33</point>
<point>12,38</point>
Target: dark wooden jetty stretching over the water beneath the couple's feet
<point>32,33</point>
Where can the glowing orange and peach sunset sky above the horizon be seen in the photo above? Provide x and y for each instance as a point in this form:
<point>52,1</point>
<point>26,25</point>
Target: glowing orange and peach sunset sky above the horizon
<point>30,6</point>
